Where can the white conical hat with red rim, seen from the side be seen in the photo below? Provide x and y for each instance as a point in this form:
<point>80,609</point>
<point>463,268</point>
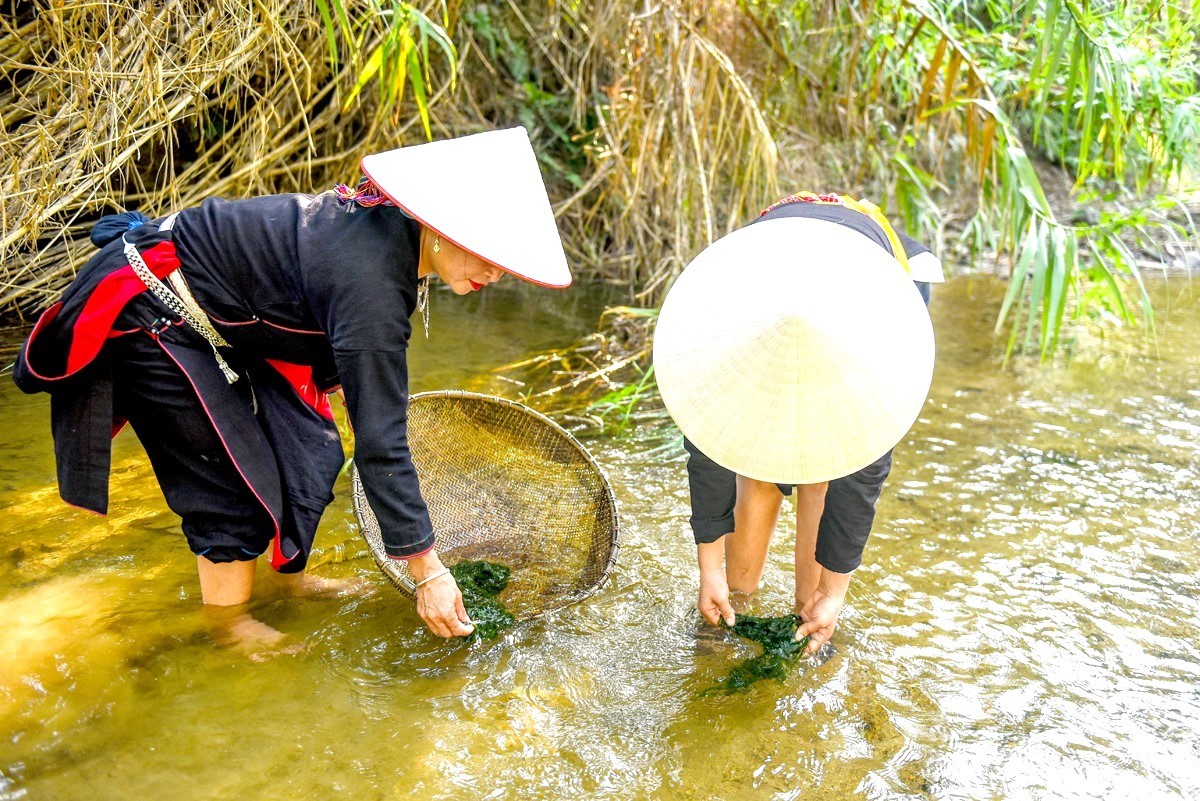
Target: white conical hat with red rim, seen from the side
<point>484,194</point>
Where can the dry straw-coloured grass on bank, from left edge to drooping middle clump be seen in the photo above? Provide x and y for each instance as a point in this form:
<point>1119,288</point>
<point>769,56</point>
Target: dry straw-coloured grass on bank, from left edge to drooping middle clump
<point>128,104</point>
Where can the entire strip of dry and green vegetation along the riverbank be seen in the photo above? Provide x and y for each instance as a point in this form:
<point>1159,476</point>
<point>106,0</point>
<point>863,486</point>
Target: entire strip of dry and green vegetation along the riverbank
<point>1052,141</point>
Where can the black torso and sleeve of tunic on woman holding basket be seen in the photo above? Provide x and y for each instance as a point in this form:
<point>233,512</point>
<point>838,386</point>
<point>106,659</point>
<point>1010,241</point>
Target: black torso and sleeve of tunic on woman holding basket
<point>335,284</point>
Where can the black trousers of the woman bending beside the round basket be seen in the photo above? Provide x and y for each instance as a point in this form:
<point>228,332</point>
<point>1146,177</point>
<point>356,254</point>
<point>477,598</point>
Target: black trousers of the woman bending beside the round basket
<point>248,467</point>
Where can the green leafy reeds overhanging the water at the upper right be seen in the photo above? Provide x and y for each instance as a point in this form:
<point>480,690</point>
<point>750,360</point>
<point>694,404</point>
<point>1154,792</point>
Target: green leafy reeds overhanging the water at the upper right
<point>963,93</point>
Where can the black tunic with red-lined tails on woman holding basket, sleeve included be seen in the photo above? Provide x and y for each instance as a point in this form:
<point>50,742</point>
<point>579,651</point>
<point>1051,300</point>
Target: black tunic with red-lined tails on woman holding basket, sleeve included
<point>302,282</point>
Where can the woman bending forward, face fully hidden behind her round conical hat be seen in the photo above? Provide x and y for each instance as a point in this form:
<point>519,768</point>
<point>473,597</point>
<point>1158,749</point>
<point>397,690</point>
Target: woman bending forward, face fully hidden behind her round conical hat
<point>795,353</point>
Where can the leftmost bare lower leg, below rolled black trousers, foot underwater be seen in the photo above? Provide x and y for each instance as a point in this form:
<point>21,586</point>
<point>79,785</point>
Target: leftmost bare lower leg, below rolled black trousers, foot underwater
<point>226,589</point>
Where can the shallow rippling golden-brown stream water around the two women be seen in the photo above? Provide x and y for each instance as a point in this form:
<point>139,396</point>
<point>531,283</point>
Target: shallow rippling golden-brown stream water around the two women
<point>1025,624</point>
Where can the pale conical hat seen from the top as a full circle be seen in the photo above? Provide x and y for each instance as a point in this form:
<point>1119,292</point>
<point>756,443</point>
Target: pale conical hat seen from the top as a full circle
<point>794,351</point>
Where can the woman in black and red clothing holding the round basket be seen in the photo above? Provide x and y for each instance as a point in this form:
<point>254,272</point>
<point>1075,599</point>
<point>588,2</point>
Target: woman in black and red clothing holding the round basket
<point>220,332</point>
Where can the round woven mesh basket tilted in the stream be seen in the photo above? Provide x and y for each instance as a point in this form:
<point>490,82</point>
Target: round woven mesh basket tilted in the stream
<point>507,485</point>
